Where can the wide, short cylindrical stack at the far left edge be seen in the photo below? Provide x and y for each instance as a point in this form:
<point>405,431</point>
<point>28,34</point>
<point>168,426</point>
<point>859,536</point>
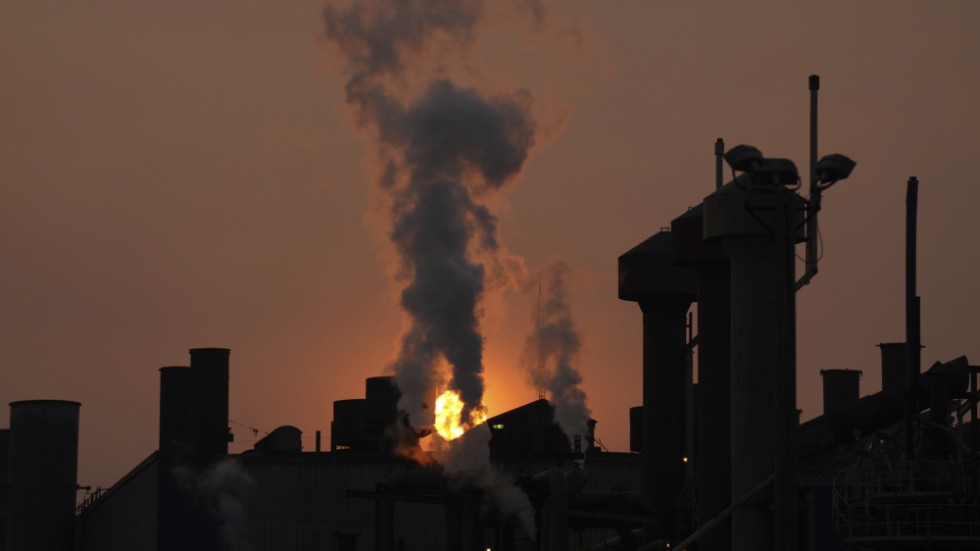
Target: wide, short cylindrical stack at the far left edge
<point>43,473</point>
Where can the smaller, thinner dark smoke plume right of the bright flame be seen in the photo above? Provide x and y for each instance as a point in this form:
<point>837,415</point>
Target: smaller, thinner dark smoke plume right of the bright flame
<point>551,351</point>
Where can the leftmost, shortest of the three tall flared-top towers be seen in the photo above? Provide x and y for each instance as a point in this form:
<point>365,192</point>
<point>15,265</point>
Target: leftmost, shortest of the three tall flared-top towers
<point>664,292</point>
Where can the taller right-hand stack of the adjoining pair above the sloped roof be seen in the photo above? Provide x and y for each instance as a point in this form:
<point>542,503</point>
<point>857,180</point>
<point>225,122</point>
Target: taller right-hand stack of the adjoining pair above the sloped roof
<point>209,401</point>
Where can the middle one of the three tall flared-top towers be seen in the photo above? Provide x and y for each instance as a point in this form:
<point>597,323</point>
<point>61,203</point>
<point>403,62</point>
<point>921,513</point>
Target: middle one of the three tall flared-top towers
<point>712,463</point>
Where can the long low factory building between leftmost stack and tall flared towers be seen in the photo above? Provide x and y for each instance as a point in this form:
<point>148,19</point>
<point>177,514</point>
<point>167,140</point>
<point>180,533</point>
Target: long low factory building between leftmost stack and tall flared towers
<point>190,494</point>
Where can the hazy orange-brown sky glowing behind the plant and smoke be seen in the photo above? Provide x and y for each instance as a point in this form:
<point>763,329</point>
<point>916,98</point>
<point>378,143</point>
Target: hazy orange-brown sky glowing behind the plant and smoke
<point>187,174</point>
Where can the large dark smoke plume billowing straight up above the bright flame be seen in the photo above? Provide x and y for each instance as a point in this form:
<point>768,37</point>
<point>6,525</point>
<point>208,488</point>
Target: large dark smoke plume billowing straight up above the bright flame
<point>444,150</point>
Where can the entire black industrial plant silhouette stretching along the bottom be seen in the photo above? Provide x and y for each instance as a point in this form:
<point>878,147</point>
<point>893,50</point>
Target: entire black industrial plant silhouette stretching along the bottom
<point>715,465</point>
